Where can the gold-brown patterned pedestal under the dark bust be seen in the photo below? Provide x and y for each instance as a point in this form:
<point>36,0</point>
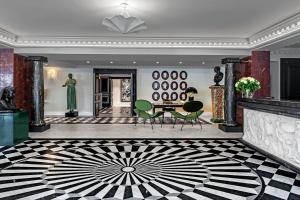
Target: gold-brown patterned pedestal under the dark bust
<point>217,98</point>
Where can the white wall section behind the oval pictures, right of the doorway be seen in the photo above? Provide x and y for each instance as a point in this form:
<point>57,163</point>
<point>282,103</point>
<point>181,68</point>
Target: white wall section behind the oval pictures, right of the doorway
<point>200,78</point>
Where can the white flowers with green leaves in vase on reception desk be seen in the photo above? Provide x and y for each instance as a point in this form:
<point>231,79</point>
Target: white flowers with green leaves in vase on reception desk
<point>247,85</point>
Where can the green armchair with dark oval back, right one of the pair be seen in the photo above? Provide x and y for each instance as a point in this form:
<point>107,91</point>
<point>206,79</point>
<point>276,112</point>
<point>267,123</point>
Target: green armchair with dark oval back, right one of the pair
<point>193,108</point>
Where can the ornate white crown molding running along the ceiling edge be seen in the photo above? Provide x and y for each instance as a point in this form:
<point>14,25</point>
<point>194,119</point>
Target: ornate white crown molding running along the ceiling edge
<point>285,29</point>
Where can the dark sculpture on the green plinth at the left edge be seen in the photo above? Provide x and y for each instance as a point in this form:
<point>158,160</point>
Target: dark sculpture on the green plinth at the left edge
<point>7,99</point>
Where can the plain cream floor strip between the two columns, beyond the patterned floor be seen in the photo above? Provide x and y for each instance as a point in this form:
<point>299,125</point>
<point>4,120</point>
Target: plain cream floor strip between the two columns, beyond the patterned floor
<point>131,131</point>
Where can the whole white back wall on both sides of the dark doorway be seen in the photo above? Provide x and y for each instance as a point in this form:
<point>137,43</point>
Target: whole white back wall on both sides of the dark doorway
<point>55,99</point>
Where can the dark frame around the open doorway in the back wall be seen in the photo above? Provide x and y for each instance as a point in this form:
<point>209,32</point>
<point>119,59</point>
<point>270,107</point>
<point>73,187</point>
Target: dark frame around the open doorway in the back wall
<point>131,72</point>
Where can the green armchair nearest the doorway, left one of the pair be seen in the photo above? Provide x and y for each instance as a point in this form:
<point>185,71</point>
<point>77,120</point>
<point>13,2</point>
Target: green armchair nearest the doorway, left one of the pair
<point>142,108</point>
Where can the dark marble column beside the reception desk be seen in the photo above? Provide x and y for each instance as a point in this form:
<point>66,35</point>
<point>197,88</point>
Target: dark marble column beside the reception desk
<point>230,123</point>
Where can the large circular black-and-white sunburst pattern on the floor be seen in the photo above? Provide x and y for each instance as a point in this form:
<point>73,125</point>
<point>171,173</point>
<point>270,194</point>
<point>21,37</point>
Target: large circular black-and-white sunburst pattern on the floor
<point>134,172</point>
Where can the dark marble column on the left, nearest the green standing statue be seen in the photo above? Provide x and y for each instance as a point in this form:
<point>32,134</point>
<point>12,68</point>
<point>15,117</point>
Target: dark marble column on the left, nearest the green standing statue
<point>37,123</point>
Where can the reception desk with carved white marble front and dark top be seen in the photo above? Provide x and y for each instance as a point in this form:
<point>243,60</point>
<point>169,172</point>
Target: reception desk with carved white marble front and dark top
<point>274,127</point>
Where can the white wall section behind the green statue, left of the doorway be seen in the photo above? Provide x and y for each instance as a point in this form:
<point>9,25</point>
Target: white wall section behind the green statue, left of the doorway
<point>56,95</point>
